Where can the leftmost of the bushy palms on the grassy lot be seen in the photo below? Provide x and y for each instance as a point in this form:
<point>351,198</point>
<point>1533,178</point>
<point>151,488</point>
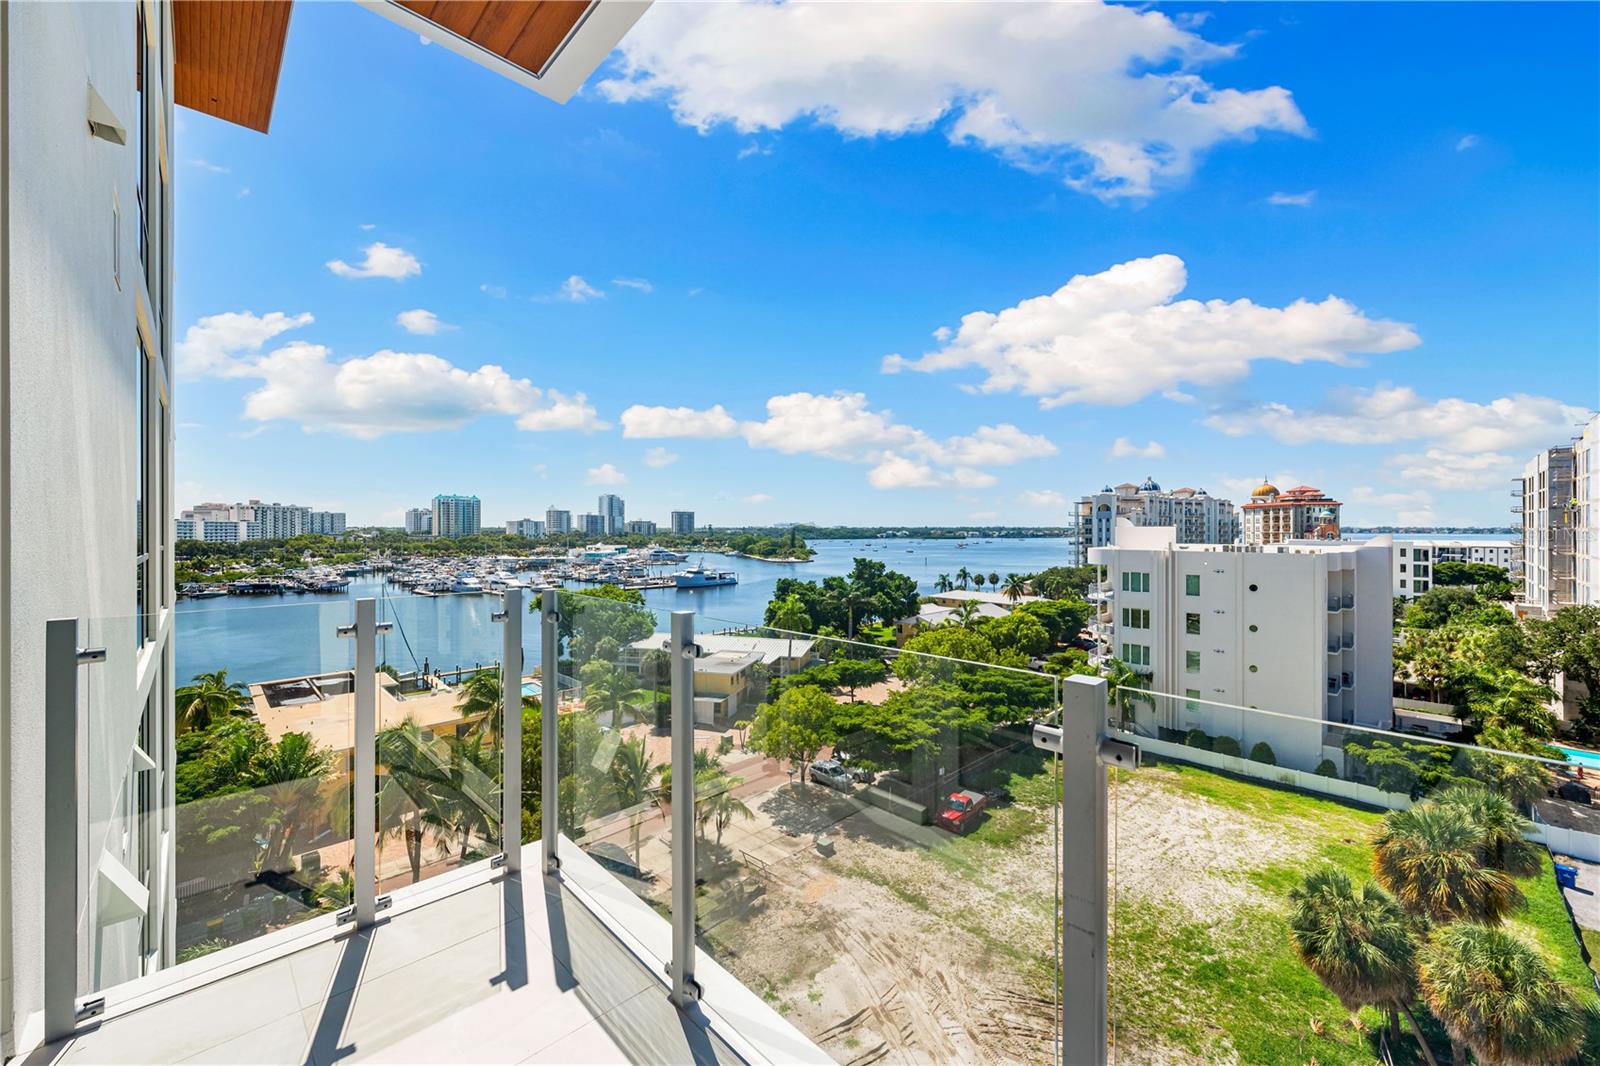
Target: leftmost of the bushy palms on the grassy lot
<point>1359,944</point>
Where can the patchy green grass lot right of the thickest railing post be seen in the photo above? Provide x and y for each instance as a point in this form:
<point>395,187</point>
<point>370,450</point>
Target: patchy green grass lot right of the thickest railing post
<point>1202,963</point>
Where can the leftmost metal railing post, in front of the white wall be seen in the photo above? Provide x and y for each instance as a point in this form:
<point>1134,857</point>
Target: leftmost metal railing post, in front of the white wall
<point>63,659</point>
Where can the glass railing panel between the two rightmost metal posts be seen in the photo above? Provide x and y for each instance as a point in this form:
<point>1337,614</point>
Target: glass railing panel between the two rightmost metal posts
<point>878,843</point>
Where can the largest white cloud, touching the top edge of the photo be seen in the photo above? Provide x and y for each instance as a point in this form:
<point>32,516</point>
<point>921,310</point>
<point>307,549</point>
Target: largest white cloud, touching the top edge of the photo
<point>1108,98</point>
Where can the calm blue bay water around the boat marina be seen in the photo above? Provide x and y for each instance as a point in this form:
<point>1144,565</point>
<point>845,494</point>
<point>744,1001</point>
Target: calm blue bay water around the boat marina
<point>292,636</point>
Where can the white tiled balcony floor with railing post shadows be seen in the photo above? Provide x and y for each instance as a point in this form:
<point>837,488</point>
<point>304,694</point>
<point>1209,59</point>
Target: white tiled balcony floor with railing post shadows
<point>513,971</point>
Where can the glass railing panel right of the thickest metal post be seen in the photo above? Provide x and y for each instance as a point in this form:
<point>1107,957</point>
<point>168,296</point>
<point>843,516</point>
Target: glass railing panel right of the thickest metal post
<point>1252,843</point>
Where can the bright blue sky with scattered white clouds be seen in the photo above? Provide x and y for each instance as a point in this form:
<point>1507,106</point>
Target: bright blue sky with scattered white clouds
<point>1345,246</point>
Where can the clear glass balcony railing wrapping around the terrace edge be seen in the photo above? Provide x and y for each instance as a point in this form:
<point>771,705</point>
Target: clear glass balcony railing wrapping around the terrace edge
<point>879,849</point>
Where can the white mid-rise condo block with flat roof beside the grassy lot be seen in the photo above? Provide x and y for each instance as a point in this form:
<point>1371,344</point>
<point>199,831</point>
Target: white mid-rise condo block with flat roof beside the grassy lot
<point>1303,630</point>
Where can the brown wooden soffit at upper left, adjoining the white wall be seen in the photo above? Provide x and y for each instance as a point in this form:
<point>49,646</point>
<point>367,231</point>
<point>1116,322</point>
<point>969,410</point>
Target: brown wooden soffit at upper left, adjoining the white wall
<point>228,57</point>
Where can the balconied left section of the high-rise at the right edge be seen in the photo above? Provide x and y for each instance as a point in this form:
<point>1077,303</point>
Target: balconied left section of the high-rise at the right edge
<point>1550,515</point>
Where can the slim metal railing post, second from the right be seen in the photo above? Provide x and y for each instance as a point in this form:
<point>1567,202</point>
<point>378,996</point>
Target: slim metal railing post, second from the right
<point>682,652</point>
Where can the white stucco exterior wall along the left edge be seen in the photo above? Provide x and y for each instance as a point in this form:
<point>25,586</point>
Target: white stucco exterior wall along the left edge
<point>71,462</point>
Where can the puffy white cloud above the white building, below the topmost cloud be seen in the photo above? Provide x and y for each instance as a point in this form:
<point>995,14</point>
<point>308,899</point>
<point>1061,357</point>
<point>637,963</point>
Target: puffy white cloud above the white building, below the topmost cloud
<point>1122,335</point>
